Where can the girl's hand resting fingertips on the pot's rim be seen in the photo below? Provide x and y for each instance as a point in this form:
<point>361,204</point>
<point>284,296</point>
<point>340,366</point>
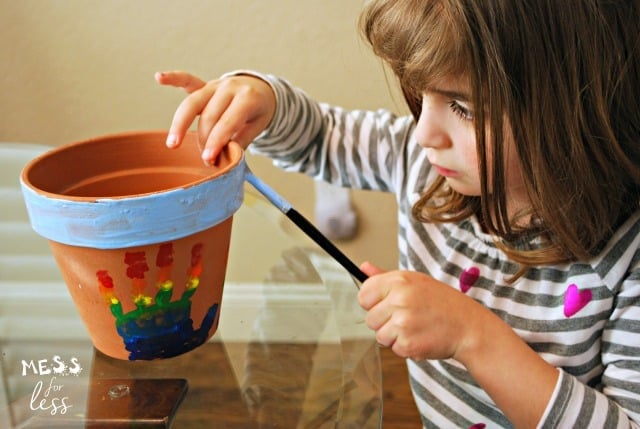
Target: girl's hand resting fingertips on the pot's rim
<point>235,108</point>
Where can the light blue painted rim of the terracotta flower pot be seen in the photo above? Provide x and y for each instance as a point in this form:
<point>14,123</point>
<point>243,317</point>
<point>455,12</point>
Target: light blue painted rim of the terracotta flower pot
<point>110,223</point>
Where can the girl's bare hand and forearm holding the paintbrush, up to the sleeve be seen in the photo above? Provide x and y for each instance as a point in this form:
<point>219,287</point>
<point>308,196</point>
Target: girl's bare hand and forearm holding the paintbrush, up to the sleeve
<point>421,318</point>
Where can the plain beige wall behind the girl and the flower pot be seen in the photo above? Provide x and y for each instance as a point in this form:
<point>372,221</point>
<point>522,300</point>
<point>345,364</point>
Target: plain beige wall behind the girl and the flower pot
<point>72,69</point>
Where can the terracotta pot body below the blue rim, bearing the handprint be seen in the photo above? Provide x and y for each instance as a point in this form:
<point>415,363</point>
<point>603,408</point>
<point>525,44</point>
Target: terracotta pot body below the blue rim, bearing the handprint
<point>150,302</point>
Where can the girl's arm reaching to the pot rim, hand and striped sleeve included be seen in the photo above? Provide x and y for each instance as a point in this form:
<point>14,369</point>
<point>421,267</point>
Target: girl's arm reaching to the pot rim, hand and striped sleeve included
<point>349,148</point>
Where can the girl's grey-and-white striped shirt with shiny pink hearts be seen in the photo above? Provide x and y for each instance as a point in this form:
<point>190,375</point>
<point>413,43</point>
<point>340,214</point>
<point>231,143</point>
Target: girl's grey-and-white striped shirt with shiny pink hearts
<point>583,318</point>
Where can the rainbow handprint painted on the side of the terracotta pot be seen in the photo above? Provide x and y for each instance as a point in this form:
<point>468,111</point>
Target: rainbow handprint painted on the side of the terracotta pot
<point>159,327</point>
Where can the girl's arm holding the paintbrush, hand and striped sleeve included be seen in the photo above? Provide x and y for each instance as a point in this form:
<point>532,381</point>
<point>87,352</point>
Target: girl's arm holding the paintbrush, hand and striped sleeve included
<point>422,318</point>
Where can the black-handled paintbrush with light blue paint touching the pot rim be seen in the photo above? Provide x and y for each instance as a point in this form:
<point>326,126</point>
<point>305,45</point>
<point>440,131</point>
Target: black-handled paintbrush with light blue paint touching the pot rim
<point>307,227</point>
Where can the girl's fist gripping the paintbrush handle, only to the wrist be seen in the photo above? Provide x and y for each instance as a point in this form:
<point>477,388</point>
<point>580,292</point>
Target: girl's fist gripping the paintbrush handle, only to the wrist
<point>419,317</point>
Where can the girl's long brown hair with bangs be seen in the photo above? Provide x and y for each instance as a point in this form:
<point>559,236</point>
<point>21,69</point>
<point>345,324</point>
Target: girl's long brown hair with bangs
<point>563,77</point>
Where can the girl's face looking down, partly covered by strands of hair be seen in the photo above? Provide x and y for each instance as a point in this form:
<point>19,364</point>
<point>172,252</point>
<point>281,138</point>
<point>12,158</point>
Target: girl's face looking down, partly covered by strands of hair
<point>446,129</point>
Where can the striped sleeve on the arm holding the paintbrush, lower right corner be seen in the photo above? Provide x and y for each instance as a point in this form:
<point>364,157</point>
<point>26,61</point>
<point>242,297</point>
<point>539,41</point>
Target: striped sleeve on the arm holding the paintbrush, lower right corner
<point>611,400</point>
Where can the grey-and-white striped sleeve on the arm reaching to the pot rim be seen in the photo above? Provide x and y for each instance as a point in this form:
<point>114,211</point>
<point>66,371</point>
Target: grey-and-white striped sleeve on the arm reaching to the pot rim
<point>351,148</point>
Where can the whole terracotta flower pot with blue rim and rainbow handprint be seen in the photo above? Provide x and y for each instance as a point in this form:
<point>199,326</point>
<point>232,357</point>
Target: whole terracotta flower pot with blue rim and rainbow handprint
<point>141,235</point>
